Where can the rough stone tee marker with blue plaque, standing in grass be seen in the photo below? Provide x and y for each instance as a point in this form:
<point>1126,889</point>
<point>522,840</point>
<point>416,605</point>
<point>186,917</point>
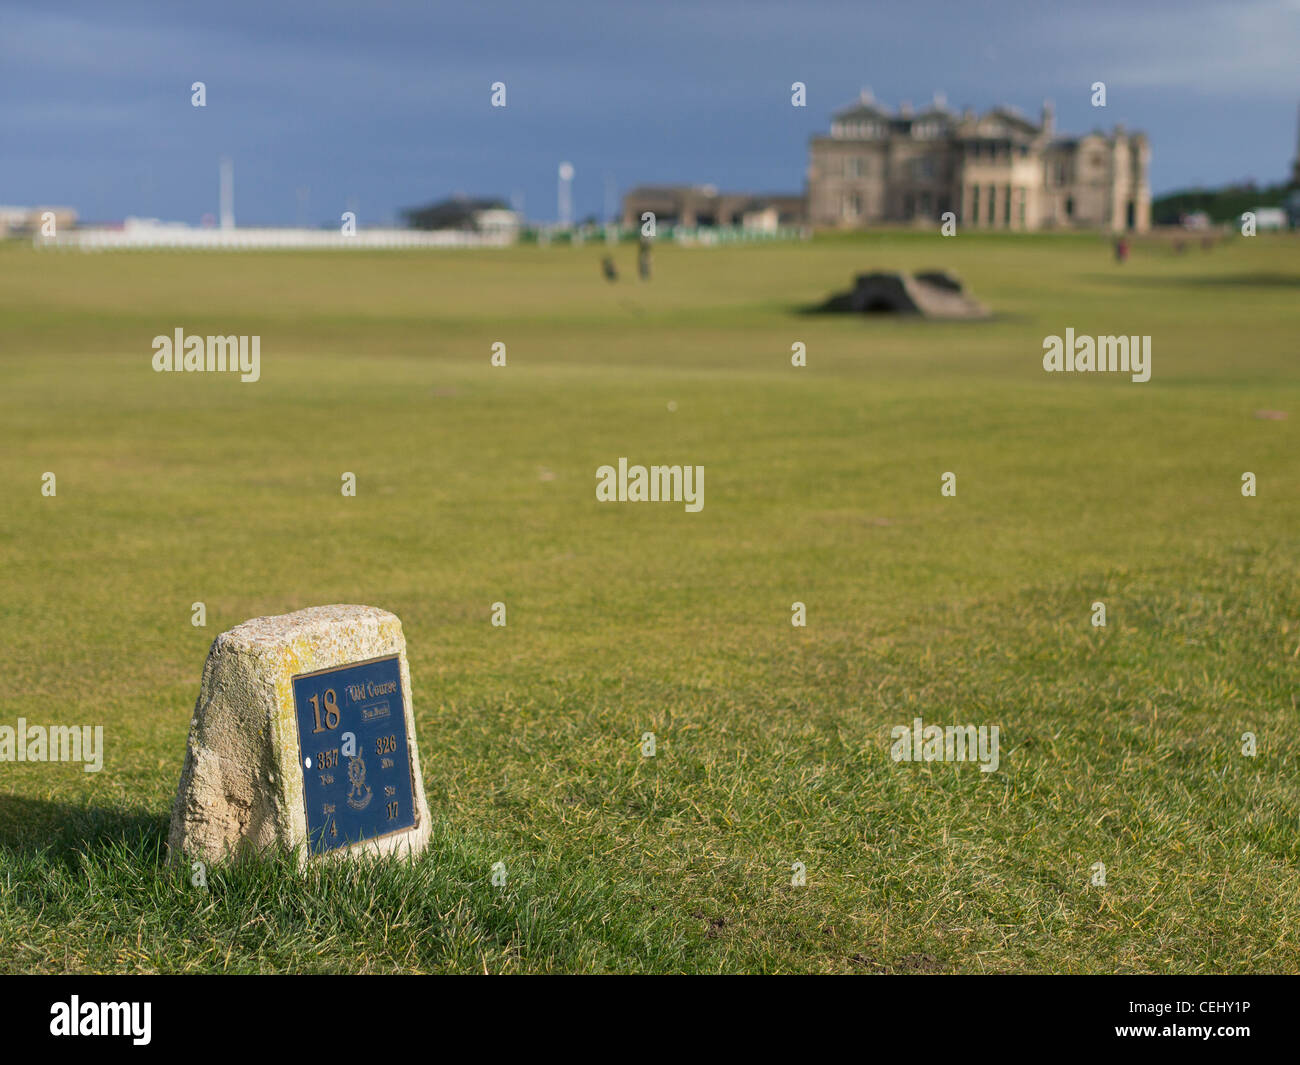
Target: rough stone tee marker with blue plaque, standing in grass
<point>304,738</point>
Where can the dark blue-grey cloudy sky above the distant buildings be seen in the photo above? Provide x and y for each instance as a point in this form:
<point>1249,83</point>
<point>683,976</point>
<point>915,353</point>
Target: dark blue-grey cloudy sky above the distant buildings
<point>380,106</point>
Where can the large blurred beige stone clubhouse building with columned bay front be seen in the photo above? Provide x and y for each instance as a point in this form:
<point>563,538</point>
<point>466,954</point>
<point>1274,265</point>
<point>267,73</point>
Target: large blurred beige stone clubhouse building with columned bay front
<point>999,171</point>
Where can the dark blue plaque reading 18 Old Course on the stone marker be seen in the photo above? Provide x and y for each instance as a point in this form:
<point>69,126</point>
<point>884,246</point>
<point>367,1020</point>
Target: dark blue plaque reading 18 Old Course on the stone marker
<point>366,794</point>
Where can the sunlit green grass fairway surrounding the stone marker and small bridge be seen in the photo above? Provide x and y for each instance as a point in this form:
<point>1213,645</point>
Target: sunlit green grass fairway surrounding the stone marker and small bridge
<point>476,484</point>
